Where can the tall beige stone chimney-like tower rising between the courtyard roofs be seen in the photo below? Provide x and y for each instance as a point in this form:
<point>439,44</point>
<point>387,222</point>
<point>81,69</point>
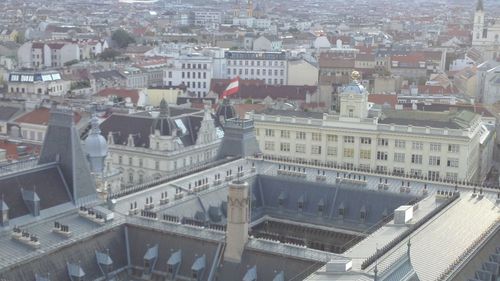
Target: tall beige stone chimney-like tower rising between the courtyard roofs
<point>238,218</point>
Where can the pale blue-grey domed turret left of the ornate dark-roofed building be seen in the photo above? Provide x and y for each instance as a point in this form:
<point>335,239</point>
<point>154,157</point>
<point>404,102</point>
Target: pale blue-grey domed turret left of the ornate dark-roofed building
<point>96,147</point>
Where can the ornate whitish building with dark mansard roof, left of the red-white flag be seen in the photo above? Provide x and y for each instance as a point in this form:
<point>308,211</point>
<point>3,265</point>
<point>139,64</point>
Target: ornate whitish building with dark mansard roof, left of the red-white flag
<point>143,147</point>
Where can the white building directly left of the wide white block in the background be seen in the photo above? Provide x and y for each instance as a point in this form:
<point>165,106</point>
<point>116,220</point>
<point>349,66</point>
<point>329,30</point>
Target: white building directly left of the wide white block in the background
<point>194,71</point>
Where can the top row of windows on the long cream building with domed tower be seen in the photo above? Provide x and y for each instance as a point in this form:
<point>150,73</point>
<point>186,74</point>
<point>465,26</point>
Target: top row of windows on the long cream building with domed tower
<point>415,145</point>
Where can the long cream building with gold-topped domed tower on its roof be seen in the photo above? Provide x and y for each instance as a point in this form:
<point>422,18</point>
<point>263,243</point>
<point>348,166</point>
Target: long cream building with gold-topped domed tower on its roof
<point>436,145</point>
